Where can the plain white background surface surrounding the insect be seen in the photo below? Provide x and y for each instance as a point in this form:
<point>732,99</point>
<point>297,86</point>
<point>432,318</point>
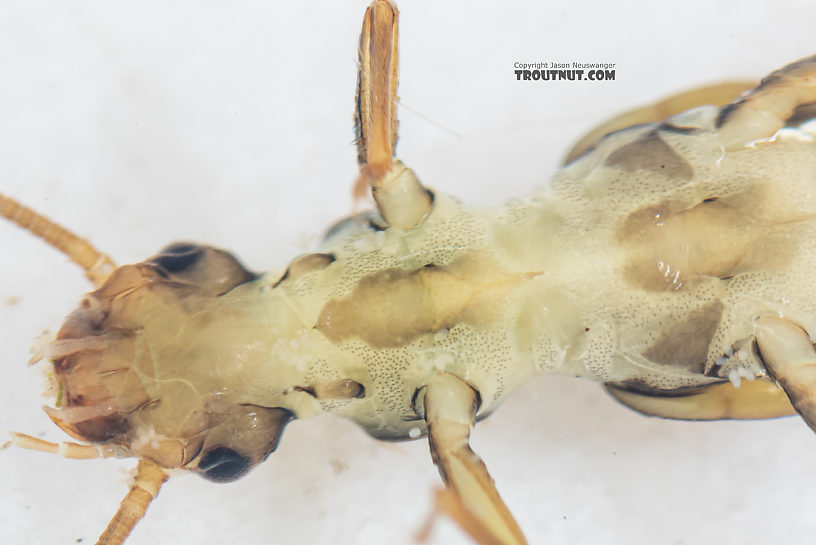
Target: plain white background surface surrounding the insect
<point>136,124</point>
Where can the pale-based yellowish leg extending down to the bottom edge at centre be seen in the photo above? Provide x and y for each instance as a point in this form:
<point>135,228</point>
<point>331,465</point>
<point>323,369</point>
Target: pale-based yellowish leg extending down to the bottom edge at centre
<point>450,408</point>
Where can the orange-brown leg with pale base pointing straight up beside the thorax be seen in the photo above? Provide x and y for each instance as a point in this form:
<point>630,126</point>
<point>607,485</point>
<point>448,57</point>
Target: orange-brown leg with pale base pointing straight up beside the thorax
<point>401,199</point>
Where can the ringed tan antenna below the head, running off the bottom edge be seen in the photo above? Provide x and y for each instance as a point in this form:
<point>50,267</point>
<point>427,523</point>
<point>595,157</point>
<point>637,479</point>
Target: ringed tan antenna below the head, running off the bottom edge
<point>145,487</point>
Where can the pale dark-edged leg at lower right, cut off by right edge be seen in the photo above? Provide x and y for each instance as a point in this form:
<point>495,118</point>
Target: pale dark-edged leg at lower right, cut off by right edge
<point>790,357</point>
